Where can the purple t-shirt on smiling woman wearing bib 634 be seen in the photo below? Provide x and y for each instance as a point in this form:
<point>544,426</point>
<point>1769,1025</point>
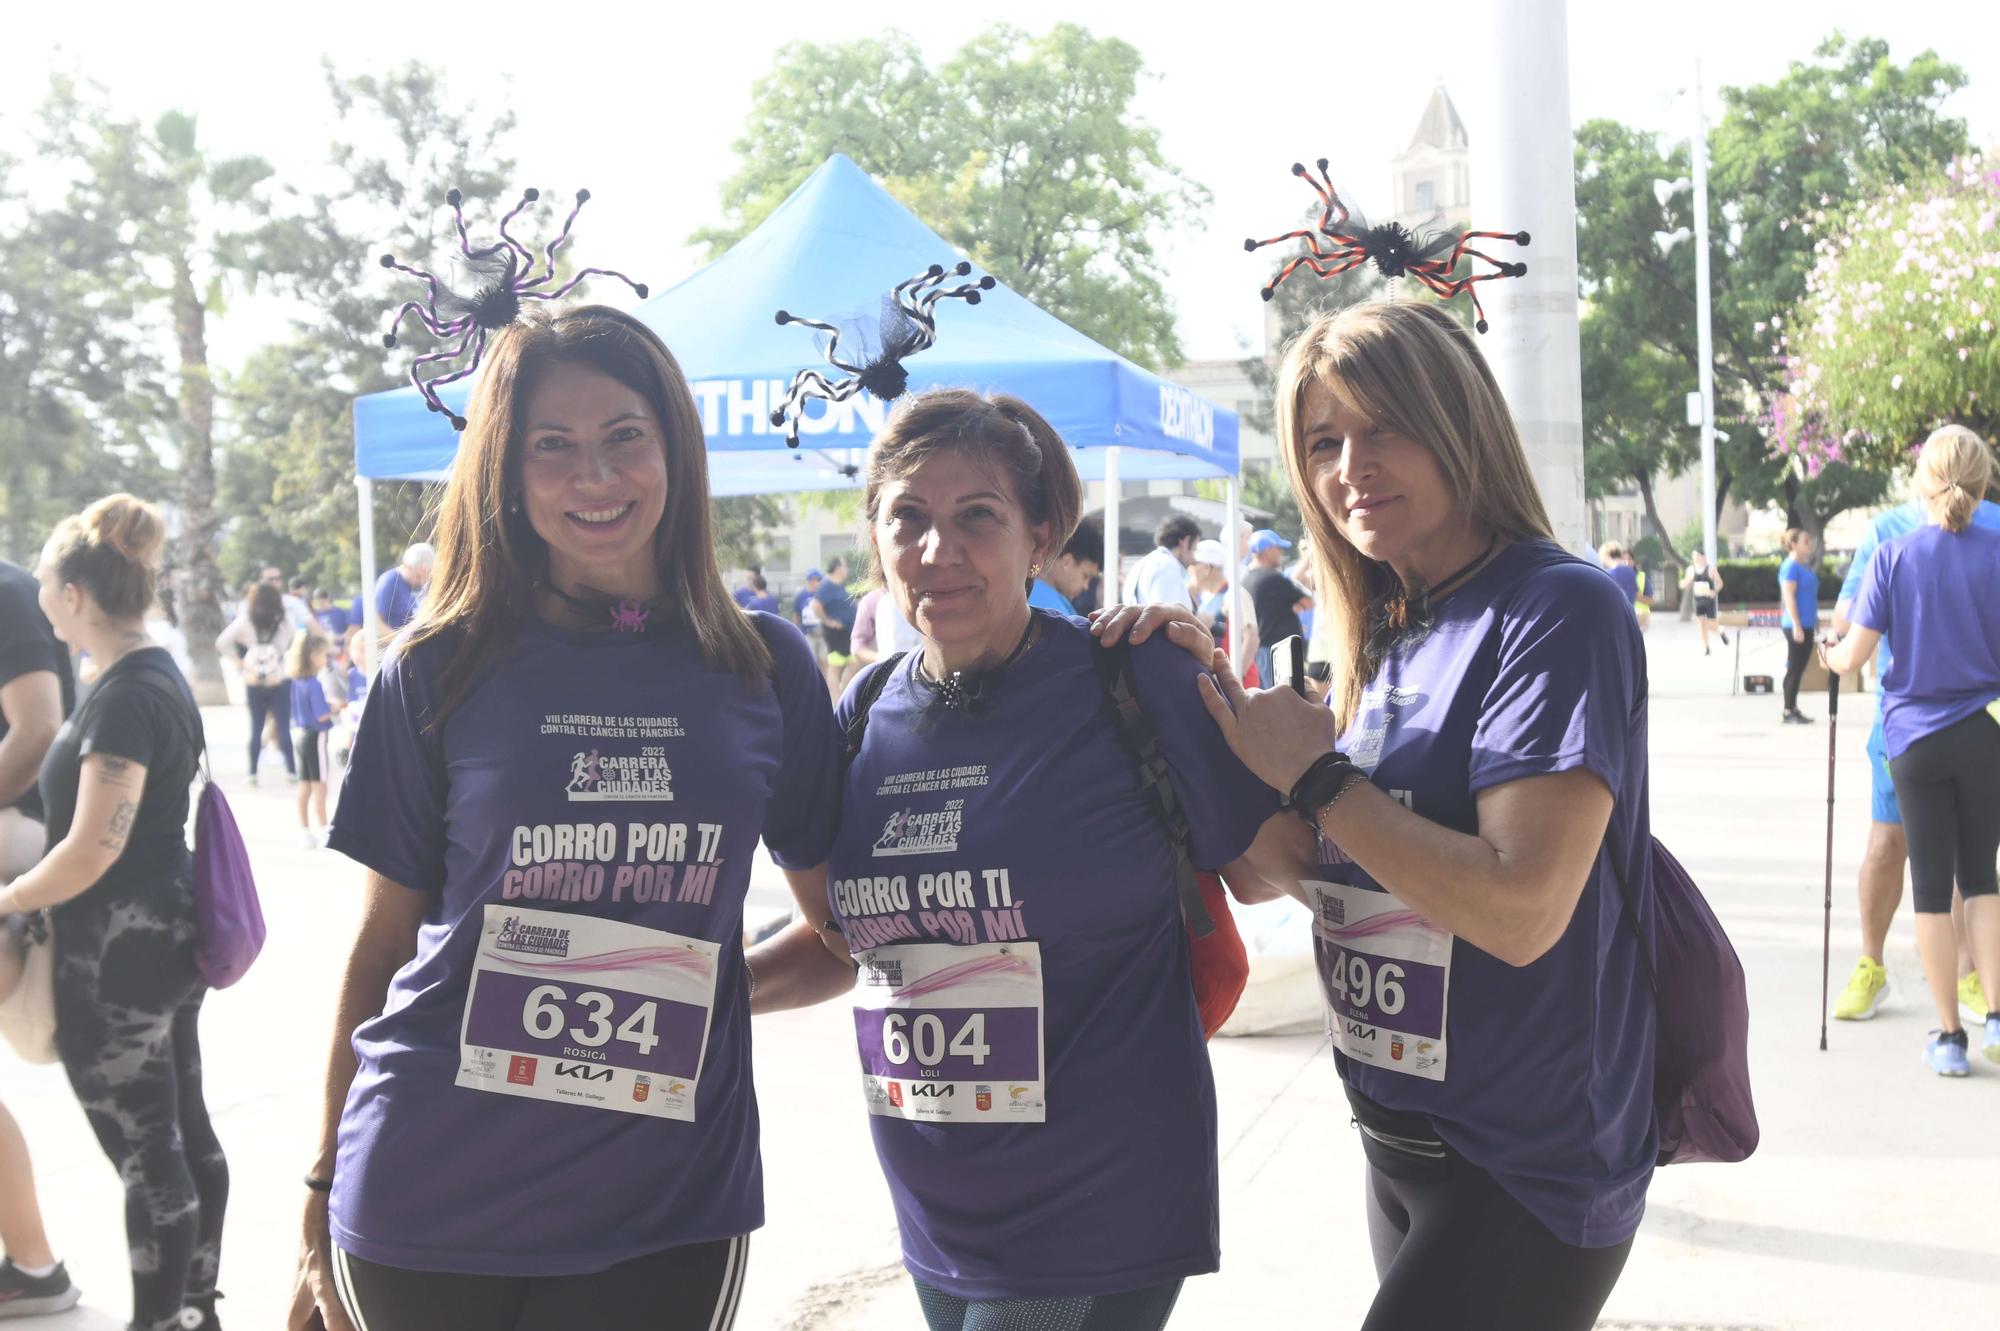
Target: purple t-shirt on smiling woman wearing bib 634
<point>565,734</point>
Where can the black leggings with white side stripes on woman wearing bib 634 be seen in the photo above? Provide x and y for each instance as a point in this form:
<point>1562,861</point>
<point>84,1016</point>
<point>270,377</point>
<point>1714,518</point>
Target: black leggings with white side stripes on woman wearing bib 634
<point>693,1288</point>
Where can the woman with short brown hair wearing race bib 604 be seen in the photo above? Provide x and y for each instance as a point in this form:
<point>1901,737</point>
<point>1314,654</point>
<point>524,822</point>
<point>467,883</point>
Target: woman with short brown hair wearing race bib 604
<point>1029,1040</point>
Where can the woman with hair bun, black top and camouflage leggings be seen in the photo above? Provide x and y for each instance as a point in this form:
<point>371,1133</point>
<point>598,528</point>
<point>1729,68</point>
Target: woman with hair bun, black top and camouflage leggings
<point>119,882</point>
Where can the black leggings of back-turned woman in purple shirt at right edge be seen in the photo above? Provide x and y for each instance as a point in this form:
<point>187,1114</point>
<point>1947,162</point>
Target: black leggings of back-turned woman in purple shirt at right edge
<point>1949,788</point>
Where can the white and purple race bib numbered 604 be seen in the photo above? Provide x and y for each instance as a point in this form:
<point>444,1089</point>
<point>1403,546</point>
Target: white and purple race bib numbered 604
<point>953,1034</point>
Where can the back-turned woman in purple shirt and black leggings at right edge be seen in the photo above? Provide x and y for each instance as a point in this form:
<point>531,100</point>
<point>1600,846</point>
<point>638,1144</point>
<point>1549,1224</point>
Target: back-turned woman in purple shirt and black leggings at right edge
<point>1927,595</point>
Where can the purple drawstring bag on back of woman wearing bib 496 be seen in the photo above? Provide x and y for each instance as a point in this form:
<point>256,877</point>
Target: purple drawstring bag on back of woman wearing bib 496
<point>1701,1072</point>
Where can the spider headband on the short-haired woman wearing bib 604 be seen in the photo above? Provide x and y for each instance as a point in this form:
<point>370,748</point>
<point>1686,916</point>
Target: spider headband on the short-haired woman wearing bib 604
<point>907,323</point>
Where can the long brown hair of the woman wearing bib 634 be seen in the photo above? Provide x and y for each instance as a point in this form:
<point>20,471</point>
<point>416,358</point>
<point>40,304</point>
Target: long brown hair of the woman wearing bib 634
<point>489,555</point>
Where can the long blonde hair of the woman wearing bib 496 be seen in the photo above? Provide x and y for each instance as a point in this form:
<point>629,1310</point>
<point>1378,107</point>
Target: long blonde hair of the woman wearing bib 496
<point>1413,369</point>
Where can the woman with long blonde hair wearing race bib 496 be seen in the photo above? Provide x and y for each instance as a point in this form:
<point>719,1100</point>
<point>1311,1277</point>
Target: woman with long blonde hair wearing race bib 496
<point>1477,786</point>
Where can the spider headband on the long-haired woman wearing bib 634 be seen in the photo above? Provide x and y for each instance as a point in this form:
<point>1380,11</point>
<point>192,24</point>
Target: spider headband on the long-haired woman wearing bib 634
<point>501,277</point>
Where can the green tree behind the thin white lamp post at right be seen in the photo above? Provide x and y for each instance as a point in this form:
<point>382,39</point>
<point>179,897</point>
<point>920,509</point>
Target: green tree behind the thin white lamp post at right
<point>1835,129</point>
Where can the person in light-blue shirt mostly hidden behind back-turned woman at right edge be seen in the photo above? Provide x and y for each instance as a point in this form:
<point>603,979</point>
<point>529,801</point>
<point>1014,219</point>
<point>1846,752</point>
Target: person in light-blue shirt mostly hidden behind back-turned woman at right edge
<point>1889,850</point>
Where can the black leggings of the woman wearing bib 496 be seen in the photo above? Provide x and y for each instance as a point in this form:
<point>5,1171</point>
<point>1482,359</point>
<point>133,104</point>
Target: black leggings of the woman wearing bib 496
<point>1455,1252</point>
